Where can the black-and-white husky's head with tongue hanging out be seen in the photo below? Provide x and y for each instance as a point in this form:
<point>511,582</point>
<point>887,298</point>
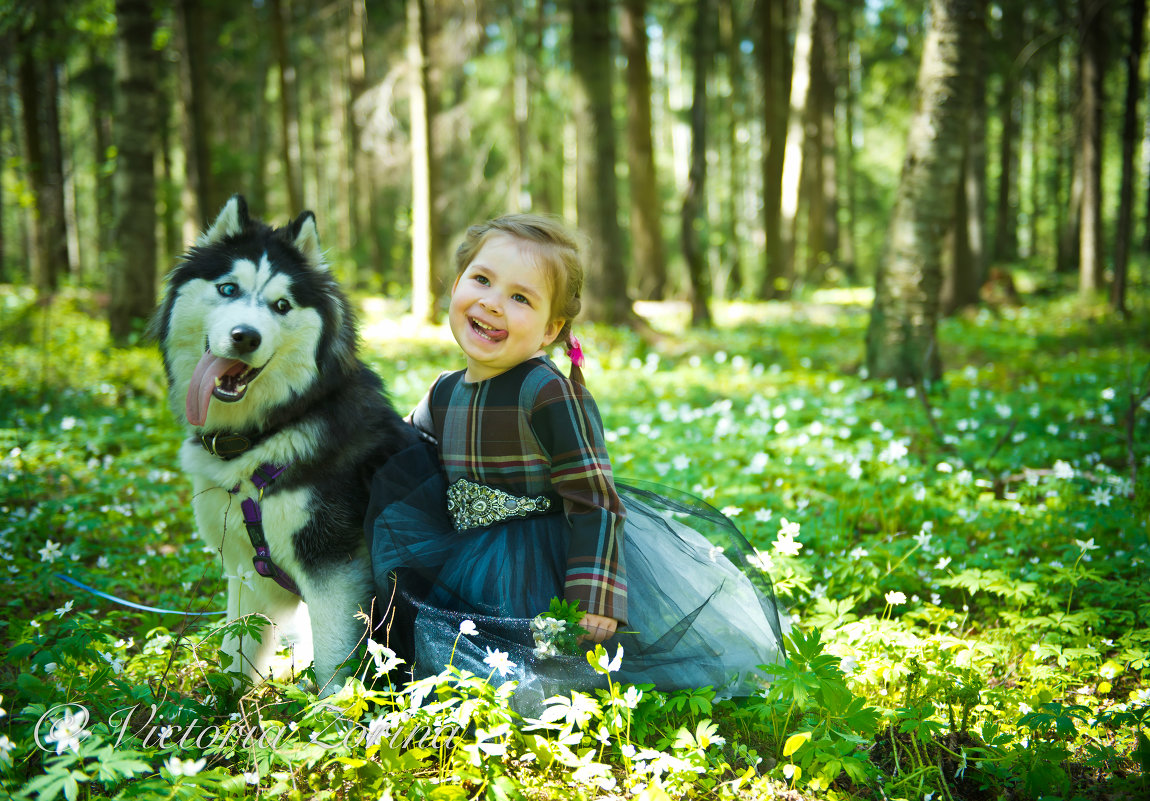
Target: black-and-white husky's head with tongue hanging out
<point>251,322</point>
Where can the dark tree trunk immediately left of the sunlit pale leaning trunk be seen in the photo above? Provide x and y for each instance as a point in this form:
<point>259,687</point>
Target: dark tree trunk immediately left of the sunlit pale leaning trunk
<point>773,53</point>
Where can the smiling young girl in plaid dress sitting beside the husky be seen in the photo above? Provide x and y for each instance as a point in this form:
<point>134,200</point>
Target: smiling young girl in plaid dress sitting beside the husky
<point>516,505</point>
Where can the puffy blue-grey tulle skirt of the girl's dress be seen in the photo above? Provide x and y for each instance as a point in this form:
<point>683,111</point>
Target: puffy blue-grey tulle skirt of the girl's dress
<point>700,613</point>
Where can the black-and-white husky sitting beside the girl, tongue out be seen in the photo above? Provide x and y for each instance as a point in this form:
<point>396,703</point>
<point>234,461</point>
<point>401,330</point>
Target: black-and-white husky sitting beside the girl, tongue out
<point>287,427</point>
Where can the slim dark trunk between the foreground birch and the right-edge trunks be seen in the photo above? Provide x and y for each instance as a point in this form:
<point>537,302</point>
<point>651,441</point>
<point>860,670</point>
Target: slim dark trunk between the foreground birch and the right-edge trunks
<point>1009,110</point>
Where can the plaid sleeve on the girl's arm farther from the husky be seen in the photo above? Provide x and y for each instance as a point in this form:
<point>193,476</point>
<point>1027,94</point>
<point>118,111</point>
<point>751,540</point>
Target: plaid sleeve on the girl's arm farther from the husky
<point>568,423</point>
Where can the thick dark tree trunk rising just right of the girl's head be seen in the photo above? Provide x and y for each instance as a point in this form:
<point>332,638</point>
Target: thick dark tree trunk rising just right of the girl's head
<point>597,195</point>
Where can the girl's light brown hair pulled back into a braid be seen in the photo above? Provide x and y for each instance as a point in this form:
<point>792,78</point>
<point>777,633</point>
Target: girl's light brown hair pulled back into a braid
<point>555,248</point>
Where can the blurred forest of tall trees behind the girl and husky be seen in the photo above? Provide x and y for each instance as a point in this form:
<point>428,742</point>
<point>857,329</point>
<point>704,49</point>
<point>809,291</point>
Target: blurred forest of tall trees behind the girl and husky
<point>732,150</point>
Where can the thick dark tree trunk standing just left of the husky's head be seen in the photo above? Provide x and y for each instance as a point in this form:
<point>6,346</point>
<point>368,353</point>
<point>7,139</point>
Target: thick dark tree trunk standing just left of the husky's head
<point>132,283</point>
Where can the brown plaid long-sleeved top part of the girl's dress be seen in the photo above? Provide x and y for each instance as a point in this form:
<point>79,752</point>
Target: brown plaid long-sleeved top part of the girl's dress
<point>533,433</point>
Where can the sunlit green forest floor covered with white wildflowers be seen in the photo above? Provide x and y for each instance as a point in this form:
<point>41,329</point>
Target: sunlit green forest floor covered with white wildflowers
<point>972,596</point>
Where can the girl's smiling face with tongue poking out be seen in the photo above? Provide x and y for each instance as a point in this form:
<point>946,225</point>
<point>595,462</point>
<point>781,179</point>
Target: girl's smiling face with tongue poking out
<point>501,309</point>
